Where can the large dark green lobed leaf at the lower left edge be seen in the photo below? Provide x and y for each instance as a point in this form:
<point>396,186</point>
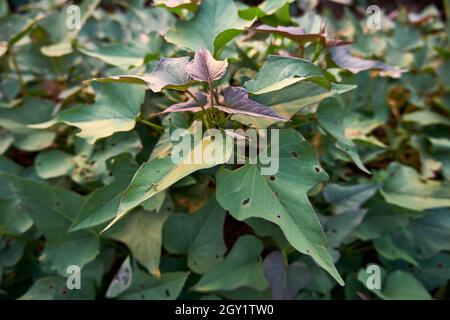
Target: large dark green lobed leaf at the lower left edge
<point>53,211</point>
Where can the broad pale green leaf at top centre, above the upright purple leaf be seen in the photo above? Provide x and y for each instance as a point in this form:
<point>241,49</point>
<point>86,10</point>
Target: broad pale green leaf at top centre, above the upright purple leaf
<point>216,23</point>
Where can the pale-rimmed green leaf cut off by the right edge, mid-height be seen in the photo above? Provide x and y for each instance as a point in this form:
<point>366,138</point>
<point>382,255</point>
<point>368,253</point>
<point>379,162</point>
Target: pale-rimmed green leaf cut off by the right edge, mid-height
<point>405,188</point>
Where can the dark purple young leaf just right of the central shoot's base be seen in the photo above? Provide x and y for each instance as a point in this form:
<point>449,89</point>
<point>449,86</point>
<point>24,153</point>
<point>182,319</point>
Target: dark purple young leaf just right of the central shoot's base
<point>238,102</point>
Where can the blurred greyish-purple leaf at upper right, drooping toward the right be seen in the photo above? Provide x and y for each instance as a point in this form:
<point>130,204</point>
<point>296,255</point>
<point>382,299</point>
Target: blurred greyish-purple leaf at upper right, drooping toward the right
<point>344,59</point>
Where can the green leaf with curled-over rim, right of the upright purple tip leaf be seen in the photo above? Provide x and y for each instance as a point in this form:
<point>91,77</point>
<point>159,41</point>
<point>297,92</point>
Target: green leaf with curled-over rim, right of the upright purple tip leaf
<point>279,72</point>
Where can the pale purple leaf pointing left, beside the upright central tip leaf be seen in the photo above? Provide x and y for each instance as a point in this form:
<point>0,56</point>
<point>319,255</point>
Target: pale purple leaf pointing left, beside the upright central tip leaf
<point>169,74</point>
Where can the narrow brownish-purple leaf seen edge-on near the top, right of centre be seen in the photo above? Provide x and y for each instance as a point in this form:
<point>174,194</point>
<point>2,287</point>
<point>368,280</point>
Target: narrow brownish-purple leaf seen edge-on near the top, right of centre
<point>298,34</point>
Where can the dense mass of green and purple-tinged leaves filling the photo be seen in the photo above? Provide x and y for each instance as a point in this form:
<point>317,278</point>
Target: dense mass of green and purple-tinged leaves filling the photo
<point>87,178</point>
